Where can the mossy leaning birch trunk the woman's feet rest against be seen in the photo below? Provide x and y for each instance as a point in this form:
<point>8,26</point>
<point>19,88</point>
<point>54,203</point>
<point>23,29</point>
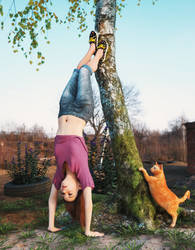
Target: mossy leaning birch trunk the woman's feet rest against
<point>135,199</point>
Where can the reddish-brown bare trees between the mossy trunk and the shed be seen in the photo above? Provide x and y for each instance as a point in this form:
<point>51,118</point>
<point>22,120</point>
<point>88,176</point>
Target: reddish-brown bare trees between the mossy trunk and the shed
<point>164,145</point>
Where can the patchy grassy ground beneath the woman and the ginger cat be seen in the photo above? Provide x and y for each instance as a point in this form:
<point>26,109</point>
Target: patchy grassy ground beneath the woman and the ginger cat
<point>23,225</point>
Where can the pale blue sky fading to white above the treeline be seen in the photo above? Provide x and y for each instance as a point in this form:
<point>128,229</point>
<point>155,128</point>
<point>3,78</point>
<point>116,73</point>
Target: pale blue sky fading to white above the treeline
<point>154,51</point>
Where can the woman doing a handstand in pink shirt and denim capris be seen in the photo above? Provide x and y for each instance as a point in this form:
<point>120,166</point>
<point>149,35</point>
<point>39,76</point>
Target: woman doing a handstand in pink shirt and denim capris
<point>72,176</point>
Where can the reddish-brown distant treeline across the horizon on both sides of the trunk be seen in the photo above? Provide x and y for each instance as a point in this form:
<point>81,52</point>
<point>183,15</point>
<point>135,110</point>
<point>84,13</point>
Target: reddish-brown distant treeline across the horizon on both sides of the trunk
<point>152,145</point>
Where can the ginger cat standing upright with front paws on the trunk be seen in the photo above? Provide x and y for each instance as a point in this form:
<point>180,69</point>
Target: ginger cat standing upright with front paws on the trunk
<point>161,193</point>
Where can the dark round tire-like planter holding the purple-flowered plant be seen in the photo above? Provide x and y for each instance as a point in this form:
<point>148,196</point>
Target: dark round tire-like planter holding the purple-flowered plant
<point>26,190</point>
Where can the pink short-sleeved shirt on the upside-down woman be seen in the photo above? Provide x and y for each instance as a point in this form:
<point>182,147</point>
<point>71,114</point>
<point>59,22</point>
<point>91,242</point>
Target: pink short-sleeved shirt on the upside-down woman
<point>73,150</point>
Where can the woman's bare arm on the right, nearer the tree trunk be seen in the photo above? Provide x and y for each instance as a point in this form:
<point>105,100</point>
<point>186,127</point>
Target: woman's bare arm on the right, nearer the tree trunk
<point>88,212</point>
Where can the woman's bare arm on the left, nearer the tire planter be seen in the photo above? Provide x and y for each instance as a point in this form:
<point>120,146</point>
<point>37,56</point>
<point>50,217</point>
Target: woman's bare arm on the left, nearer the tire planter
<point>52,208</point>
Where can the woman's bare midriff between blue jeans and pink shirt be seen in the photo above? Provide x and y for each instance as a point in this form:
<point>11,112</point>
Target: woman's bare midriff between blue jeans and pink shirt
<point>70,125</point>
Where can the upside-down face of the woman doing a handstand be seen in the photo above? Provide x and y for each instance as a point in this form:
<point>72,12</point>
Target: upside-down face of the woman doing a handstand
<point>69,188</point>
